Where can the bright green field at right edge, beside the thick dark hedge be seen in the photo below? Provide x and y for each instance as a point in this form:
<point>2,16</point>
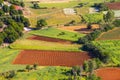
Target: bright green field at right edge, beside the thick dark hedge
<point>110,47</point>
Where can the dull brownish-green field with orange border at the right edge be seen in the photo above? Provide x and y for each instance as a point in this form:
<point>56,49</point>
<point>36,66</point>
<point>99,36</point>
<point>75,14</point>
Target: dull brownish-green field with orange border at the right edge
<point>110,35</point>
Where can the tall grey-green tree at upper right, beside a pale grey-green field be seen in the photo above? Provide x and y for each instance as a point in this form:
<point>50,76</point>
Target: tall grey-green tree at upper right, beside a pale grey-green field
<point>109,17</point>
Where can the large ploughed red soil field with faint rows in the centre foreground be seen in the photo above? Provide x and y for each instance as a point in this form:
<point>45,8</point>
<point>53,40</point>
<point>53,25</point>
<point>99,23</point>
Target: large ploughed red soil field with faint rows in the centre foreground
<point>51,58</point>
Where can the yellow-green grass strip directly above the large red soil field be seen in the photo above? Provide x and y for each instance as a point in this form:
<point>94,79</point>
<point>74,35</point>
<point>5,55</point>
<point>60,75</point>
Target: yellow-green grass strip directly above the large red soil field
<point>42,45</point>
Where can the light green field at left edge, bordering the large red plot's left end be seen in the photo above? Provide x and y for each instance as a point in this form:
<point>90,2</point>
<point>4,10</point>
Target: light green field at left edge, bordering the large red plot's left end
<point>6,58</point>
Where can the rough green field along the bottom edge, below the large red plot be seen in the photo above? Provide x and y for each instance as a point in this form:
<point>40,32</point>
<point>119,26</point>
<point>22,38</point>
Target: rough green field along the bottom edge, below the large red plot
<point>47,73</point>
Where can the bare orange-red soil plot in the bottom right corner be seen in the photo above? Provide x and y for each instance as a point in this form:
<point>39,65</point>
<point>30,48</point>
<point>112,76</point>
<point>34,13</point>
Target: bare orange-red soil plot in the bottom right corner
<point>108,73</point>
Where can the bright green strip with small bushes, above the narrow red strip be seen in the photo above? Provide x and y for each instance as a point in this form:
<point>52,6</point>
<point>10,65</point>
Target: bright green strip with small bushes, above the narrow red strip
<point>55,33</point>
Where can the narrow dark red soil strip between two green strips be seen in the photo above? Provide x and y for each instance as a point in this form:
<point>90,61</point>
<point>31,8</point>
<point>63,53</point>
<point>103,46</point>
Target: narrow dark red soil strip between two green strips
<point>43,38</point>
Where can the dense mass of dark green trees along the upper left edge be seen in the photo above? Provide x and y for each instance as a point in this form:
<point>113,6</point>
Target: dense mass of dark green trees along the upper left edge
<point>12,22</point>
